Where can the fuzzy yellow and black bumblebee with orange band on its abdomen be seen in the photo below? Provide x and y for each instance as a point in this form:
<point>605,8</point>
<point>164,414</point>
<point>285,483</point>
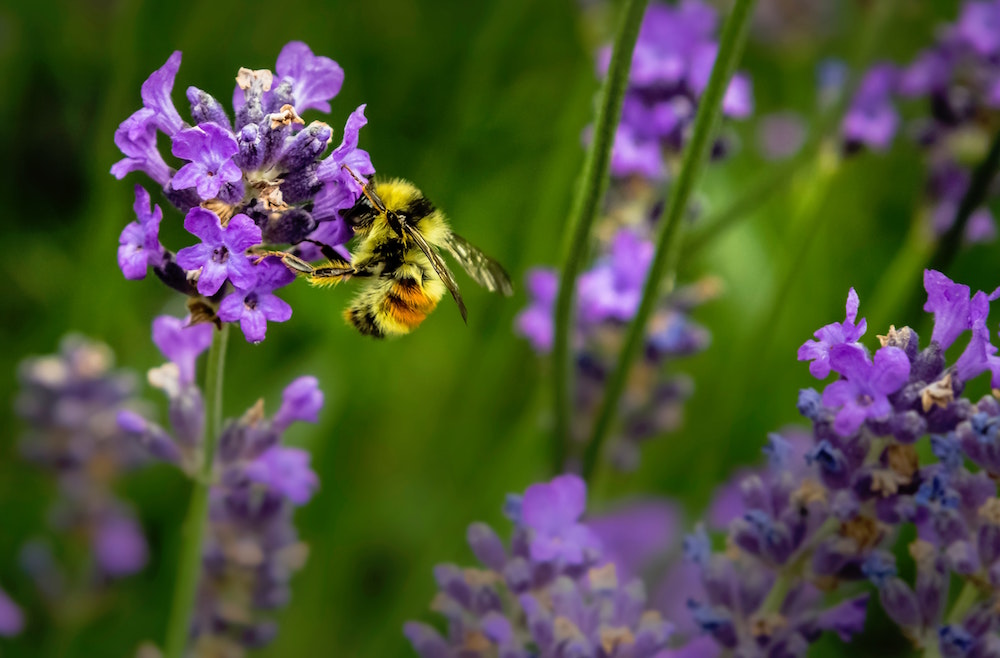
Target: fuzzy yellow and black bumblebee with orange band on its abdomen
<point>400,233</point>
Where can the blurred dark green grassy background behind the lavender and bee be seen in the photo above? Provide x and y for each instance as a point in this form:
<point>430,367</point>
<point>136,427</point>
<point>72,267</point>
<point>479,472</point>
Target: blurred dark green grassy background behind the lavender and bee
<point>482,105</point>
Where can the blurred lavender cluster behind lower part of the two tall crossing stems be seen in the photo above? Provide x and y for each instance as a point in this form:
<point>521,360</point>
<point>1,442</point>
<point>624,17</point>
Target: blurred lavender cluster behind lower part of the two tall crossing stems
<point>608,296</point>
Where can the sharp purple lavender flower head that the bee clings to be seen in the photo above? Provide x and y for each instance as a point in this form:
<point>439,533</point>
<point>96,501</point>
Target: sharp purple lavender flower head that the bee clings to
<point>257,181</point>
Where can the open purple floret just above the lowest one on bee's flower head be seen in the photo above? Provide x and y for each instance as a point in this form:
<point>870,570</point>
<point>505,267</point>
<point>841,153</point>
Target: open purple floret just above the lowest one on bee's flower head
<point>221,254</point>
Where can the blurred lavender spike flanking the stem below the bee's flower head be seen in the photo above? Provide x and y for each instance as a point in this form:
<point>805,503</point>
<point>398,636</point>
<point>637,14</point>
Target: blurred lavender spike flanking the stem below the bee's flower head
<point>251,549</point>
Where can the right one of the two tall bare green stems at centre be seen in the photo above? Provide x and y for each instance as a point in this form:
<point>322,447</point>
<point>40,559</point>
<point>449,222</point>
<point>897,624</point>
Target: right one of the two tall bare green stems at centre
<point>664,262</point>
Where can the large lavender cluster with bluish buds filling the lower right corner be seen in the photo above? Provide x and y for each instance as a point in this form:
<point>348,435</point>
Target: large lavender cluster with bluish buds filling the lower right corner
<point>825,514</point>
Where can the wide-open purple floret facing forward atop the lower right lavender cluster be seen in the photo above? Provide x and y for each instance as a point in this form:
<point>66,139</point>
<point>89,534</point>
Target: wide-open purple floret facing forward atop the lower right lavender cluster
<point>864,391</point>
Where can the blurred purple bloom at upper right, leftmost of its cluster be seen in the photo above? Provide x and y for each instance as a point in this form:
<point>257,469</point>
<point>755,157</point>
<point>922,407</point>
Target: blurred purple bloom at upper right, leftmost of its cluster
<point>872,119</point>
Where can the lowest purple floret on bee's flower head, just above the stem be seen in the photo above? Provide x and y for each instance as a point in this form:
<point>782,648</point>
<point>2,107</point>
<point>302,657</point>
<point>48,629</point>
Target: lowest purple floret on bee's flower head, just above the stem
<point>255,305</point>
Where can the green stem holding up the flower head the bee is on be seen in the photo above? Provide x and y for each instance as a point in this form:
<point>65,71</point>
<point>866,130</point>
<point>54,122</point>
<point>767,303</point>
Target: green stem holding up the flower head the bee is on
<point>189,570</point>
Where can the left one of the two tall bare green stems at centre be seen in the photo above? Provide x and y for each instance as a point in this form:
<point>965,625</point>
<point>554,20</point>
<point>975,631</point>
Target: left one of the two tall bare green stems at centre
<point>589,193</point>
